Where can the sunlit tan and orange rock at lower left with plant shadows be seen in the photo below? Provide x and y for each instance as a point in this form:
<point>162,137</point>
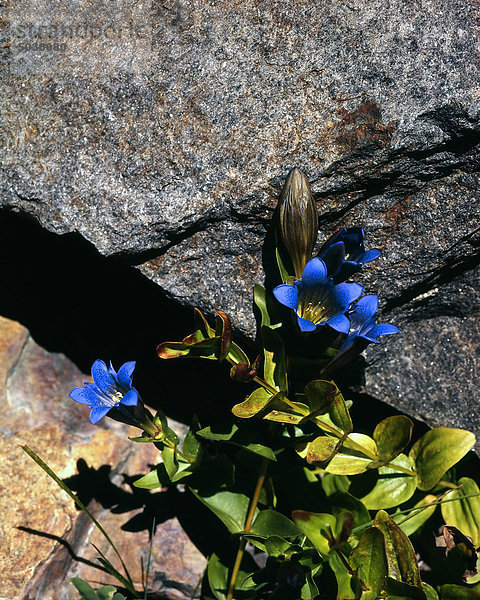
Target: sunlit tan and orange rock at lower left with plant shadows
<point>45,540</point>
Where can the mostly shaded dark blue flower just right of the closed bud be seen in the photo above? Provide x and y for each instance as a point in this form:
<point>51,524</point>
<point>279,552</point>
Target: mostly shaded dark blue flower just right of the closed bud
<point>346,244</point>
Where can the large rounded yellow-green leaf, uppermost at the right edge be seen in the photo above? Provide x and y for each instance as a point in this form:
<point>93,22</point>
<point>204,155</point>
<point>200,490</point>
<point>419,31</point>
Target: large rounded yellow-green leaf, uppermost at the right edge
<point>437,451</point>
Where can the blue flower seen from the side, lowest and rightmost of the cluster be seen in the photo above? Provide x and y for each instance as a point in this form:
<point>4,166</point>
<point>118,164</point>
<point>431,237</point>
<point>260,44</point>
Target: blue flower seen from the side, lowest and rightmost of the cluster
<point>363,332</point>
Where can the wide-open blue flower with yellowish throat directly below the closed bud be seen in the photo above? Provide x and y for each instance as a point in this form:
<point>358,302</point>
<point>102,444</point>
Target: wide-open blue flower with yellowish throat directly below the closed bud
<point>316,300</point>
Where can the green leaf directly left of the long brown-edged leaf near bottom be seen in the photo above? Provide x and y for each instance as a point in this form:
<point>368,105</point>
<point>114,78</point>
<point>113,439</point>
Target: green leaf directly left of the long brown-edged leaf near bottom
<point>371,561</point>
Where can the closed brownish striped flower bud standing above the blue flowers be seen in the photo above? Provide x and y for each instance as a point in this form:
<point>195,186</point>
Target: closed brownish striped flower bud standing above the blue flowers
<point>298,219</point>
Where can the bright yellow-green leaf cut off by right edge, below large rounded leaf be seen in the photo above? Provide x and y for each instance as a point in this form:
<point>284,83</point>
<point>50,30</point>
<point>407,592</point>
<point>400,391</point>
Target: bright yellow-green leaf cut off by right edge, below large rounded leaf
<point>464,514</point>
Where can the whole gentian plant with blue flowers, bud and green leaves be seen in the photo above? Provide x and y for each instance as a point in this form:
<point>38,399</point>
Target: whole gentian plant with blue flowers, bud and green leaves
<point>333,510</point>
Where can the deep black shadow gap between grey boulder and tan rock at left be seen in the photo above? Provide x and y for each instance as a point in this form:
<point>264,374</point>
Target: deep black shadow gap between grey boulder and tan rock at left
<point>75,301</point>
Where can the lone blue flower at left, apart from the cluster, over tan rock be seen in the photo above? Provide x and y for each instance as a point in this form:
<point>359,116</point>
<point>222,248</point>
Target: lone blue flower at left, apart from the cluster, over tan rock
<point>109,390</point>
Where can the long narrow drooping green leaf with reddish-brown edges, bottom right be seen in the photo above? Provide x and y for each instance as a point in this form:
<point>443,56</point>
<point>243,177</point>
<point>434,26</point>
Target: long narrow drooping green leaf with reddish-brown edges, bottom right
<point>401,559</point>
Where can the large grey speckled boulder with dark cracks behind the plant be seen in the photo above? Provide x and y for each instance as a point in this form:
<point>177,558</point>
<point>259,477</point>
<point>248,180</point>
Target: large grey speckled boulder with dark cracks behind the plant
<point>163,136</point>
